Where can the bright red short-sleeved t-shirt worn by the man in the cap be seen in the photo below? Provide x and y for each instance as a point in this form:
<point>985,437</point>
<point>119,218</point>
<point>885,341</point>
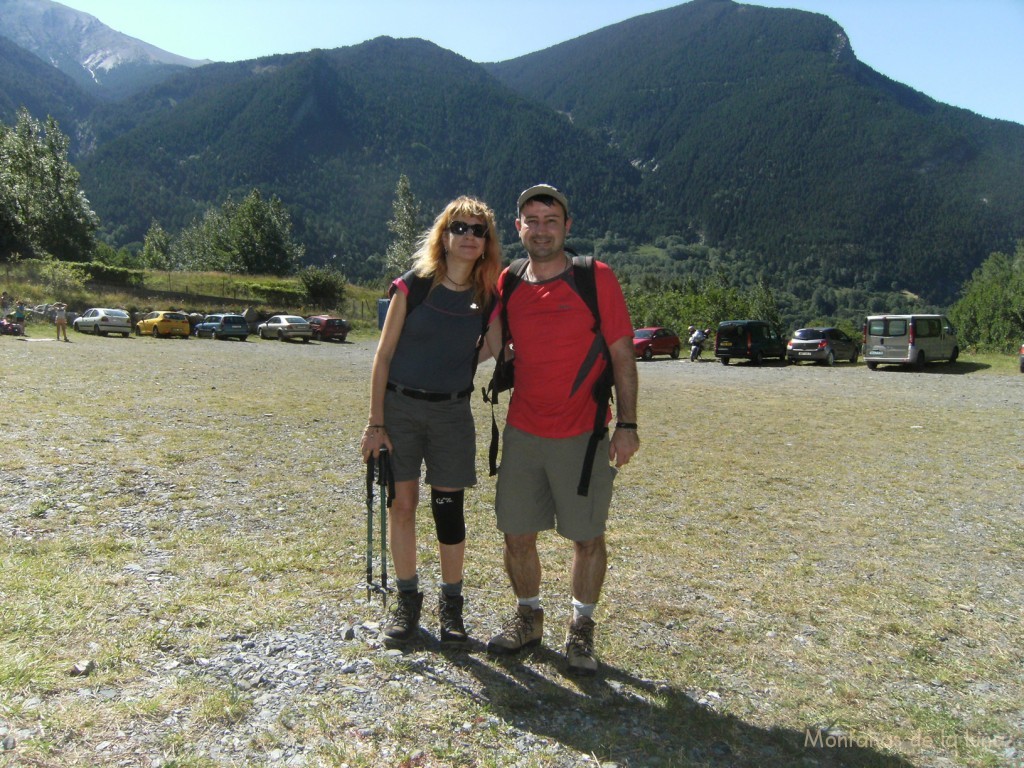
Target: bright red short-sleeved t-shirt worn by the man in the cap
<point>552,331</point>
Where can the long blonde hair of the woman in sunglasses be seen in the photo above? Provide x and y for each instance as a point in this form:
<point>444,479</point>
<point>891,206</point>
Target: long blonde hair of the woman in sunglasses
<point>429,262</point>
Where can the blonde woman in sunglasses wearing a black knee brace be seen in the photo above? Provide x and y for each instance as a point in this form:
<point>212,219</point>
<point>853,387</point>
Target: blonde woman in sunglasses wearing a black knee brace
<point>419,404</point>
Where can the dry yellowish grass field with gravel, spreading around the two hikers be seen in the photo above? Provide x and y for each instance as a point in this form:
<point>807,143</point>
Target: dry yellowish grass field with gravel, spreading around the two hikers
<point>794,550</point>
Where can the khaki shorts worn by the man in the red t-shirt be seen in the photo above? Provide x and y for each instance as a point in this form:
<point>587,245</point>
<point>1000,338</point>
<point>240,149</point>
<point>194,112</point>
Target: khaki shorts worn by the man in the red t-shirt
<point>537,487</point>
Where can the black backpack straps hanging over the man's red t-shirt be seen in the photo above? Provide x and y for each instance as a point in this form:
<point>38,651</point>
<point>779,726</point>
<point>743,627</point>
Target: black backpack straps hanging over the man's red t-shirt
<point>504,376</point>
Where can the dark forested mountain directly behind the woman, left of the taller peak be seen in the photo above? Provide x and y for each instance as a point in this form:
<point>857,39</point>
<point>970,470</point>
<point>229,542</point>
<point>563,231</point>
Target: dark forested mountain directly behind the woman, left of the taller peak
<point>330,133</point>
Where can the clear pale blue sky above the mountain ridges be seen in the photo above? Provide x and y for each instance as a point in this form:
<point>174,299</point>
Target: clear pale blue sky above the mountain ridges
<point>963,53</point>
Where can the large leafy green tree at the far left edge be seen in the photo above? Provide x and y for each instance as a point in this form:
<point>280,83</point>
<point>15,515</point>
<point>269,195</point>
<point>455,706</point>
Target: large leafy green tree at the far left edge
<point>42,209</point>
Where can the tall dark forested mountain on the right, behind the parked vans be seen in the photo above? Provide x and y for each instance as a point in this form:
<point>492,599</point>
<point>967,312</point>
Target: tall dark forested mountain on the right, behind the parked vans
<point>759,131</point>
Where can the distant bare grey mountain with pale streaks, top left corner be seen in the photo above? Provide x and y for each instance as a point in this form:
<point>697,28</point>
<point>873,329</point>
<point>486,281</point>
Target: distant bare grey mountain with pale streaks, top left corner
<point>105,63</point>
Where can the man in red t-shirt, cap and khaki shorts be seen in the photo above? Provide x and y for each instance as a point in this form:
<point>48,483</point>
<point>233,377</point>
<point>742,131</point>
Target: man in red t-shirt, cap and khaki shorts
<point>550,422</point>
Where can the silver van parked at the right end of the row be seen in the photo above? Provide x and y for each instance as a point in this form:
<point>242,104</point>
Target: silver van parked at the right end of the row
<point>909,340</point>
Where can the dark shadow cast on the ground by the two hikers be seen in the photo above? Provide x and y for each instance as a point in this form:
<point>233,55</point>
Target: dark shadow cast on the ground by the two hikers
<point>627,721</point>
